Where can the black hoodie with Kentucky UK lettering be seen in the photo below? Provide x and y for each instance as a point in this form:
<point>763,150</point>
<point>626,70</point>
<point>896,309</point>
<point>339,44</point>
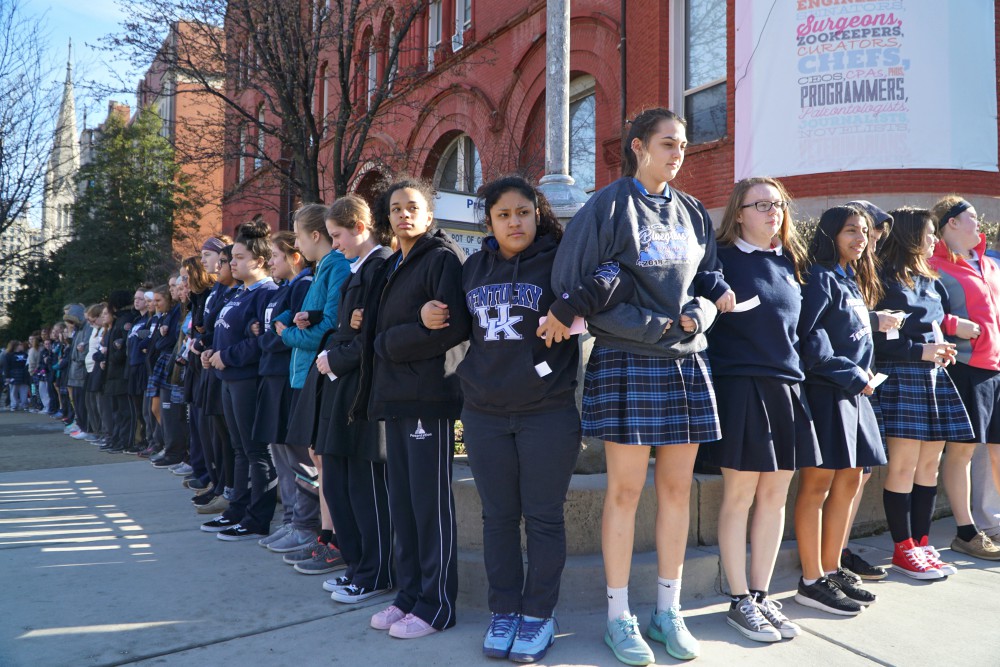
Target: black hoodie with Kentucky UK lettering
<point>508,367</point>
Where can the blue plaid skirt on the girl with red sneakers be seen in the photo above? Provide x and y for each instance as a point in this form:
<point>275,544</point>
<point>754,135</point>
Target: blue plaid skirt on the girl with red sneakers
<point>919,401</point>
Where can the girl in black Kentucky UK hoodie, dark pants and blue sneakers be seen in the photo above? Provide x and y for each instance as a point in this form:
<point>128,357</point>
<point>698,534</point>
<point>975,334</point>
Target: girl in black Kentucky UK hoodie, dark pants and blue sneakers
<point>522,427</point>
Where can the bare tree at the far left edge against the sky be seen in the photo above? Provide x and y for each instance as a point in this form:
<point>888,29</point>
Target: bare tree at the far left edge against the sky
<point>27,109</point>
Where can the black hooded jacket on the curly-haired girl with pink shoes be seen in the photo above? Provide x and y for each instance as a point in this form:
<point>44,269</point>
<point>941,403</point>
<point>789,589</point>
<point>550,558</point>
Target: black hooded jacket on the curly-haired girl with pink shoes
<point>408,370</point>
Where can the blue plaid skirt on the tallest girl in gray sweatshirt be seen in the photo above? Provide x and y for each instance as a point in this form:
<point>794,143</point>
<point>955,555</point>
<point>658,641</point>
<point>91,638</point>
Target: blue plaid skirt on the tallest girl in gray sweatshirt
<point>633,399</point>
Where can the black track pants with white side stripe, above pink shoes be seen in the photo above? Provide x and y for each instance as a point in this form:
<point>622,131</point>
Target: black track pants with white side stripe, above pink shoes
<point>419,454</point>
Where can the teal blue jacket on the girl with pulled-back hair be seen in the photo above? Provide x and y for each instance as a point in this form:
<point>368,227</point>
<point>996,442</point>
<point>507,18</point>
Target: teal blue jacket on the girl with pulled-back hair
<point>323,294</point>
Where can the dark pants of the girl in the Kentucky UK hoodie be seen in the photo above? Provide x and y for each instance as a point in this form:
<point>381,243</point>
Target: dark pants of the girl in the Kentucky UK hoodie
<point>522,464</point>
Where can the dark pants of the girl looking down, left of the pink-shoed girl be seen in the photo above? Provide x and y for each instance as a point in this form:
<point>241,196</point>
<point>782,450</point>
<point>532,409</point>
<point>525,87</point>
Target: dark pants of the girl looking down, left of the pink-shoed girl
<point>358,497</point>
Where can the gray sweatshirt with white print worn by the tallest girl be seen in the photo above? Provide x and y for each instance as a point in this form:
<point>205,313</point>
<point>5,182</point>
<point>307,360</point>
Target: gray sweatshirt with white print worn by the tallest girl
<point>667,246</point>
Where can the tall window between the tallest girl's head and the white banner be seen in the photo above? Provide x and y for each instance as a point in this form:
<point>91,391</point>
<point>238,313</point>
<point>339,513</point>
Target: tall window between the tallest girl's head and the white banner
<point>701,33</point>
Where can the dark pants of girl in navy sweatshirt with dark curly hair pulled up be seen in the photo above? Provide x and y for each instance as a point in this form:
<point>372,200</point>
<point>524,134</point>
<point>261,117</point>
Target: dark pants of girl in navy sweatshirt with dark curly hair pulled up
<point>254,479</point>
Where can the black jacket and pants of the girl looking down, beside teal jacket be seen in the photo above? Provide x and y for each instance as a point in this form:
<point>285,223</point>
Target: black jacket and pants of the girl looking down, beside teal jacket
<point>355,480</point>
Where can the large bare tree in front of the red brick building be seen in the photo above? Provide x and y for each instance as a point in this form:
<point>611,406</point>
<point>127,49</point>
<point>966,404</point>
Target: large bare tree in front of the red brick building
<point>272,63</point>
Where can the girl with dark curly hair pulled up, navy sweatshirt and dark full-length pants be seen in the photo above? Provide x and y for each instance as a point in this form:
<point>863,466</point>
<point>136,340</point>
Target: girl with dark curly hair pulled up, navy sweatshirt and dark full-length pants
<point>236,356</point>
